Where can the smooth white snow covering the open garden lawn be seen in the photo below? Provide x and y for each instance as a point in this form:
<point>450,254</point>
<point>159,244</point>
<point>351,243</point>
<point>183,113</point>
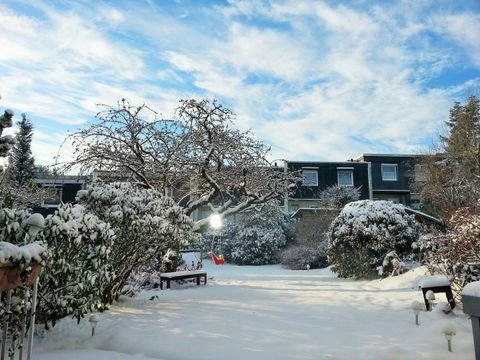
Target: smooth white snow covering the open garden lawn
<point>266,312</point>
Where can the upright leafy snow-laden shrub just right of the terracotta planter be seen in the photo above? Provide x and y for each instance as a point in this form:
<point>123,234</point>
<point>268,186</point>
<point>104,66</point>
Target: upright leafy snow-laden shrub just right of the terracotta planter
<point>79,266</point>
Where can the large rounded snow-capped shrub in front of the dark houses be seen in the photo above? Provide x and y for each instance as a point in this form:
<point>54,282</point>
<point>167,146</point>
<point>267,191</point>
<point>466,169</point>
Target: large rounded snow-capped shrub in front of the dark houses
<point>365,232</point>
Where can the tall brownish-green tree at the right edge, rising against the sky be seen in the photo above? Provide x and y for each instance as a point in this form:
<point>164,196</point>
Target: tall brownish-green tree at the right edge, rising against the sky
<point>452,176</point>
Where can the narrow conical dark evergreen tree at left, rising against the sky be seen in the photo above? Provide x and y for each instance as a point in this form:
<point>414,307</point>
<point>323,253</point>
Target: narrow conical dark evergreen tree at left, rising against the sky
<point>22,168</point>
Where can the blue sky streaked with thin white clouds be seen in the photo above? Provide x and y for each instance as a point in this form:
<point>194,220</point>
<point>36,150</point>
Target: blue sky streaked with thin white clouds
<point>317,80</point>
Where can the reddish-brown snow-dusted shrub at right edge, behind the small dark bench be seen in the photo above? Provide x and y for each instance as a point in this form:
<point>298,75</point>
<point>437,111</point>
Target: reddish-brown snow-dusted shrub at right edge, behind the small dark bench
<point>456,254</point>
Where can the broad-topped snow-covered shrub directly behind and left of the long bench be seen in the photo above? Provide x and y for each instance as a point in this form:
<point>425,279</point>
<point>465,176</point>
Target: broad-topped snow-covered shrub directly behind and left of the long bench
<point>146,225</point>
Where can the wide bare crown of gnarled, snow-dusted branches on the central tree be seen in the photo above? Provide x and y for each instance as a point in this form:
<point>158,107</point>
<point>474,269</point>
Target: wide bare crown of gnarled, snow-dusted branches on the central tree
<point>198,155</point>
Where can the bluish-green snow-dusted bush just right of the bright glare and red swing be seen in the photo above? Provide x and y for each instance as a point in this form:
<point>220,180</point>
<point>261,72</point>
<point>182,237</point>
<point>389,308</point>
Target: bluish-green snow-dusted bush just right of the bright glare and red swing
<point>258,235</point>
